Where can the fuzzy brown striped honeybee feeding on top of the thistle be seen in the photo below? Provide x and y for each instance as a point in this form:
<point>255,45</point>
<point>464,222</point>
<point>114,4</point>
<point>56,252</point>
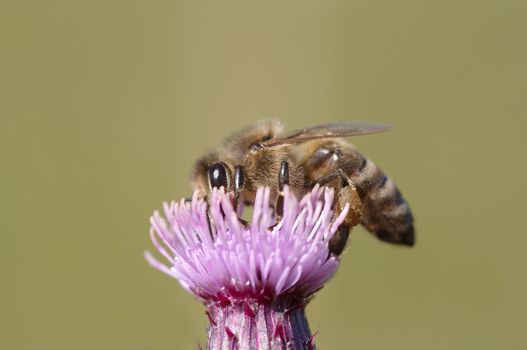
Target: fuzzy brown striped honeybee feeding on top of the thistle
<point>261,155</point>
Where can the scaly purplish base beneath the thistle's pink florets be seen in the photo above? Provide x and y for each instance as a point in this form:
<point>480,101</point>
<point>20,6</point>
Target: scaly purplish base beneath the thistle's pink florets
<point>249,325</point>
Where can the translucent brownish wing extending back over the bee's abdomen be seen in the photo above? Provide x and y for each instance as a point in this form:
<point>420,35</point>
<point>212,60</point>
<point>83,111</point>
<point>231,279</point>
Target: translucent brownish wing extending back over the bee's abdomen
<point>322,131</point>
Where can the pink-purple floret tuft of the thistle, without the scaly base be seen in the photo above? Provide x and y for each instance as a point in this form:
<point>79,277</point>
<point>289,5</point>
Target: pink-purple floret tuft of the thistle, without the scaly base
<point>218,258</point>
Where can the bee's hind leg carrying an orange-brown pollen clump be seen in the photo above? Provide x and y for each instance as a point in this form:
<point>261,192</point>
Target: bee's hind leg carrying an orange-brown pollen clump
<point>346,194</point>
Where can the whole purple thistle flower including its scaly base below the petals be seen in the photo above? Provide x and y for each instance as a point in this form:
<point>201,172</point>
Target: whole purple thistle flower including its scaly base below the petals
<point>254,279</point>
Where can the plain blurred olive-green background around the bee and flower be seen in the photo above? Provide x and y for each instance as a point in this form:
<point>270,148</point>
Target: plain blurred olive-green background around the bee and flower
<point>104,106</point>
